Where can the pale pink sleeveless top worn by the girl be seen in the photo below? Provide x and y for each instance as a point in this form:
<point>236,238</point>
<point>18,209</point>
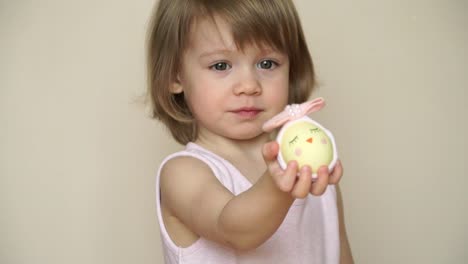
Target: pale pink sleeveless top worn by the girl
<point>308,234</point>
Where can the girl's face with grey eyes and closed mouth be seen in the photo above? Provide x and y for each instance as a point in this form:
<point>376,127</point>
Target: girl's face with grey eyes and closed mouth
<point>231,92</point>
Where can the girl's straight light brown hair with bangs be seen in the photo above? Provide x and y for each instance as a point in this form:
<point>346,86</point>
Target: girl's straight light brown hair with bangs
<point>271,22</point>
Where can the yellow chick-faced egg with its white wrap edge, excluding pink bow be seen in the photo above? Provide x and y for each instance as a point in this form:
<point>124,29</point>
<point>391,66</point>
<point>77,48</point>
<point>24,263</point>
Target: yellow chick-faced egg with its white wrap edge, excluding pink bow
<point>307,142</point>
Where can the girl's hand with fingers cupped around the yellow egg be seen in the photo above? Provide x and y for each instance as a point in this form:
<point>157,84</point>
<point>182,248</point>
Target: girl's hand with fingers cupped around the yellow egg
<point>298,184</point>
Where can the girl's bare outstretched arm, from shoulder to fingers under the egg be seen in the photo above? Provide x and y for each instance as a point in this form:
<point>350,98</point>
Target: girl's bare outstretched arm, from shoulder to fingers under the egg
<point>191,193</point>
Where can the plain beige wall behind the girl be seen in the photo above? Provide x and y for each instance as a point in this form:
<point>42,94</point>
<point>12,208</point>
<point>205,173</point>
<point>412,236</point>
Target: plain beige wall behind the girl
<point>78,155</point>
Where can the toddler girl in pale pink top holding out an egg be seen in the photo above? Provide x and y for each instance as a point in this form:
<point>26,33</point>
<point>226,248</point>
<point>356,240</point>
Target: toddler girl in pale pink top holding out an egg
<point>218,69</point>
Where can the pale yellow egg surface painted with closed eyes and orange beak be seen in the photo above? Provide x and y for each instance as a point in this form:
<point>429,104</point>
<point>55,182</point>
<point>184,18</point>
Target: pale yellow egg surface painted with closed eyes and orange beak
<point>308,144</point>
